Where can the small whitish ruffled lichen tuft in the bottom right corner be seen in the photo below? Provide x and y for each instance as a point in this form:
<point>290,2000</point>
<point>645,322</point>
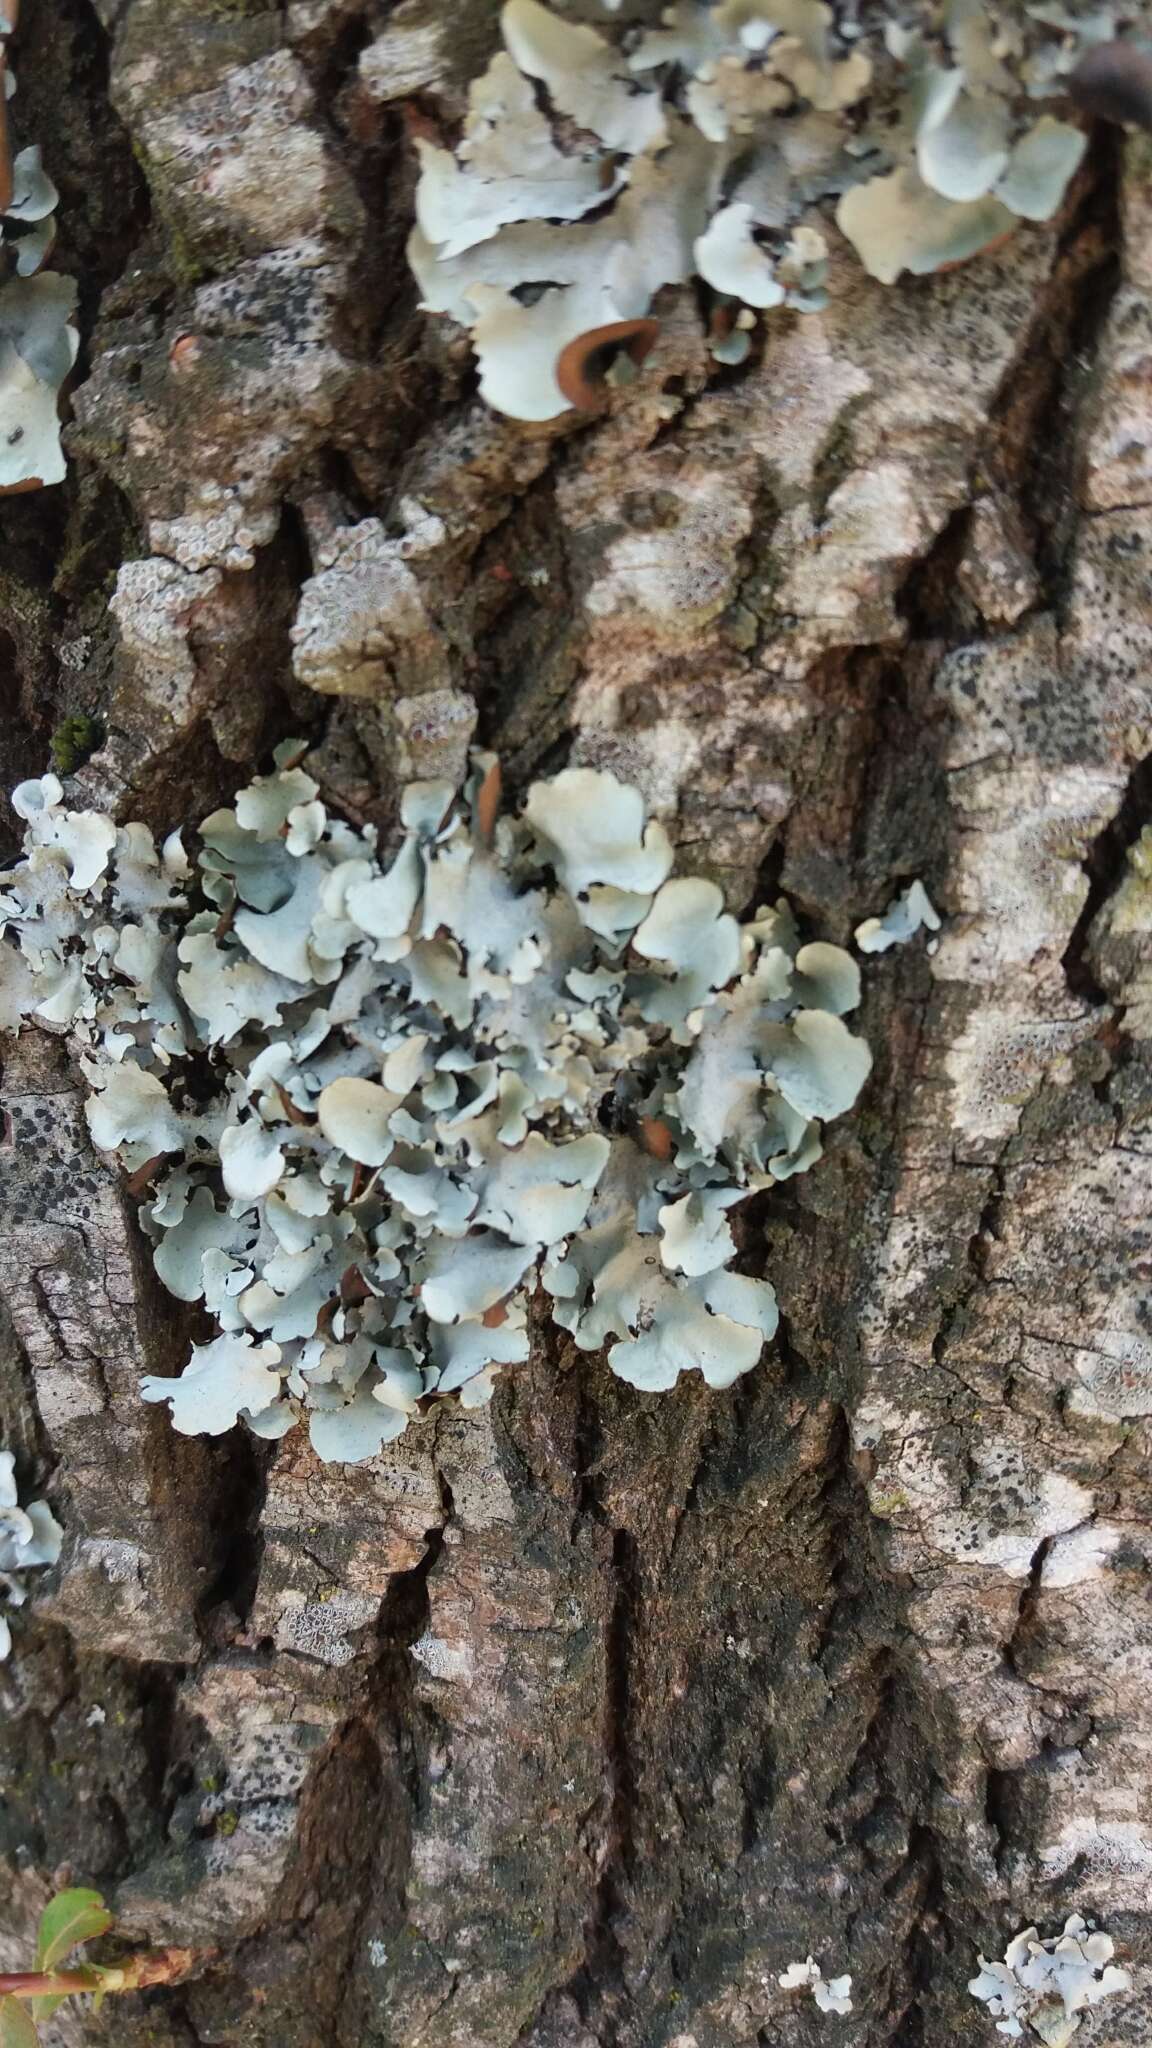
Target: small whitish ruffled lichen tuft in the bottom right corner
<point>1044,1986</point>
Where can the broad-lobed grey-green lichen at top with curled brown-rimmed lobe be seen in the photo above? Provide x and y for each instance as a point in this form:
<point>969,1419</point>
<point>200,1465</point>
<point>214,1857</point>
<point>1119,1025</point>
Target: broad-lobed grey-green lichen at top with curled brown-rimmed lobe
<point>598,167</point>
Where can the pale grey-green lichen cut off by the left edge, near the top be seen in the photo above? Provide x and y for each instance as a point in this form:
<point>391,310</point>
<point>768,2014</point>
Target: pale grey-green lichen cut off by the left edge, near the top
<point>38,341</point>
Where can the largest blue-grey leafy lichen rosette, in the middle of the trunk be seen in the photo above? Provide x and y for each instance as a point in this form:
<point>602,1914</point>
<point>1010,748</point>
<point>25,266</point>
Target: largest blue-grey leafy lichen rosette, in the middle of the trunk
<point>520,1054</point>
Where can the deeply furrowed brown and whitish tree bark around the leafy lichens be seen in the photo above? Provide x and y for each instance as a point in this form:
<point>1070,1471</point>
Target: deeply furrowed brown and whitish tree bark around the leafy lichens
<point>571,1723</point>
